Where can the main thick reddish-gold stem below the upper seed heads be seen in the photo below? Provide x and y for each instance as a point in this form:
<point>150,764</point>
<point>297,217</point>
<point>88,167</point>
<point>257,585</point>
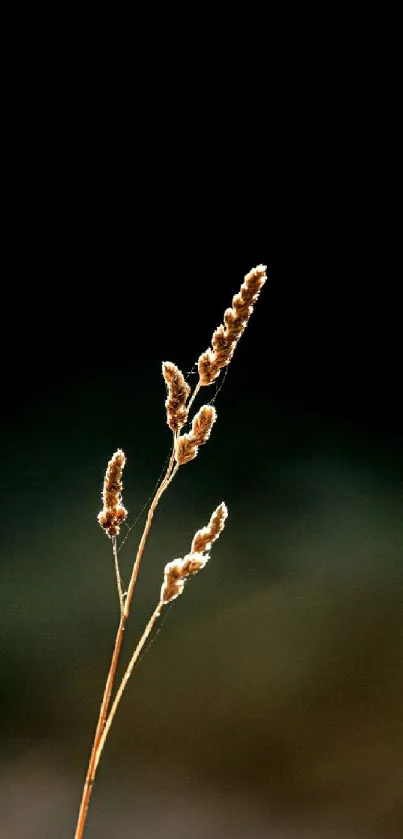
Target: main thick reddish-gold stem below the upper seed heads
<point>89,781</point>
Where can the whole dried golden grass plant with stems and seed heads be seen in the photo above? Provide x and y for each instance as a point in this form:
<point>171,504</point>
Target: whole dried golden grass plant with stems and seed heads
<point>185,447</point>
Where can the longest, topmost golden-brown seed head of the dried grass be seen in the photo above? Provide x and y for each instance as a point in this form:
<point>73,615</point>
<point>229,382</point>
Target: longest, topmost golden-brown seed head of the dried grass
<point>227,335</point>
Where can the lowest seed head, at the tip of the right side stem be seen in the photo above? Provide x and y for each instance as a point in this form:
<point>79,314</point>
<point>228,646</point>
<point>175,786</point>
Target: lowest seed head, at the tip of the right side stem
<point>179,570</point>
